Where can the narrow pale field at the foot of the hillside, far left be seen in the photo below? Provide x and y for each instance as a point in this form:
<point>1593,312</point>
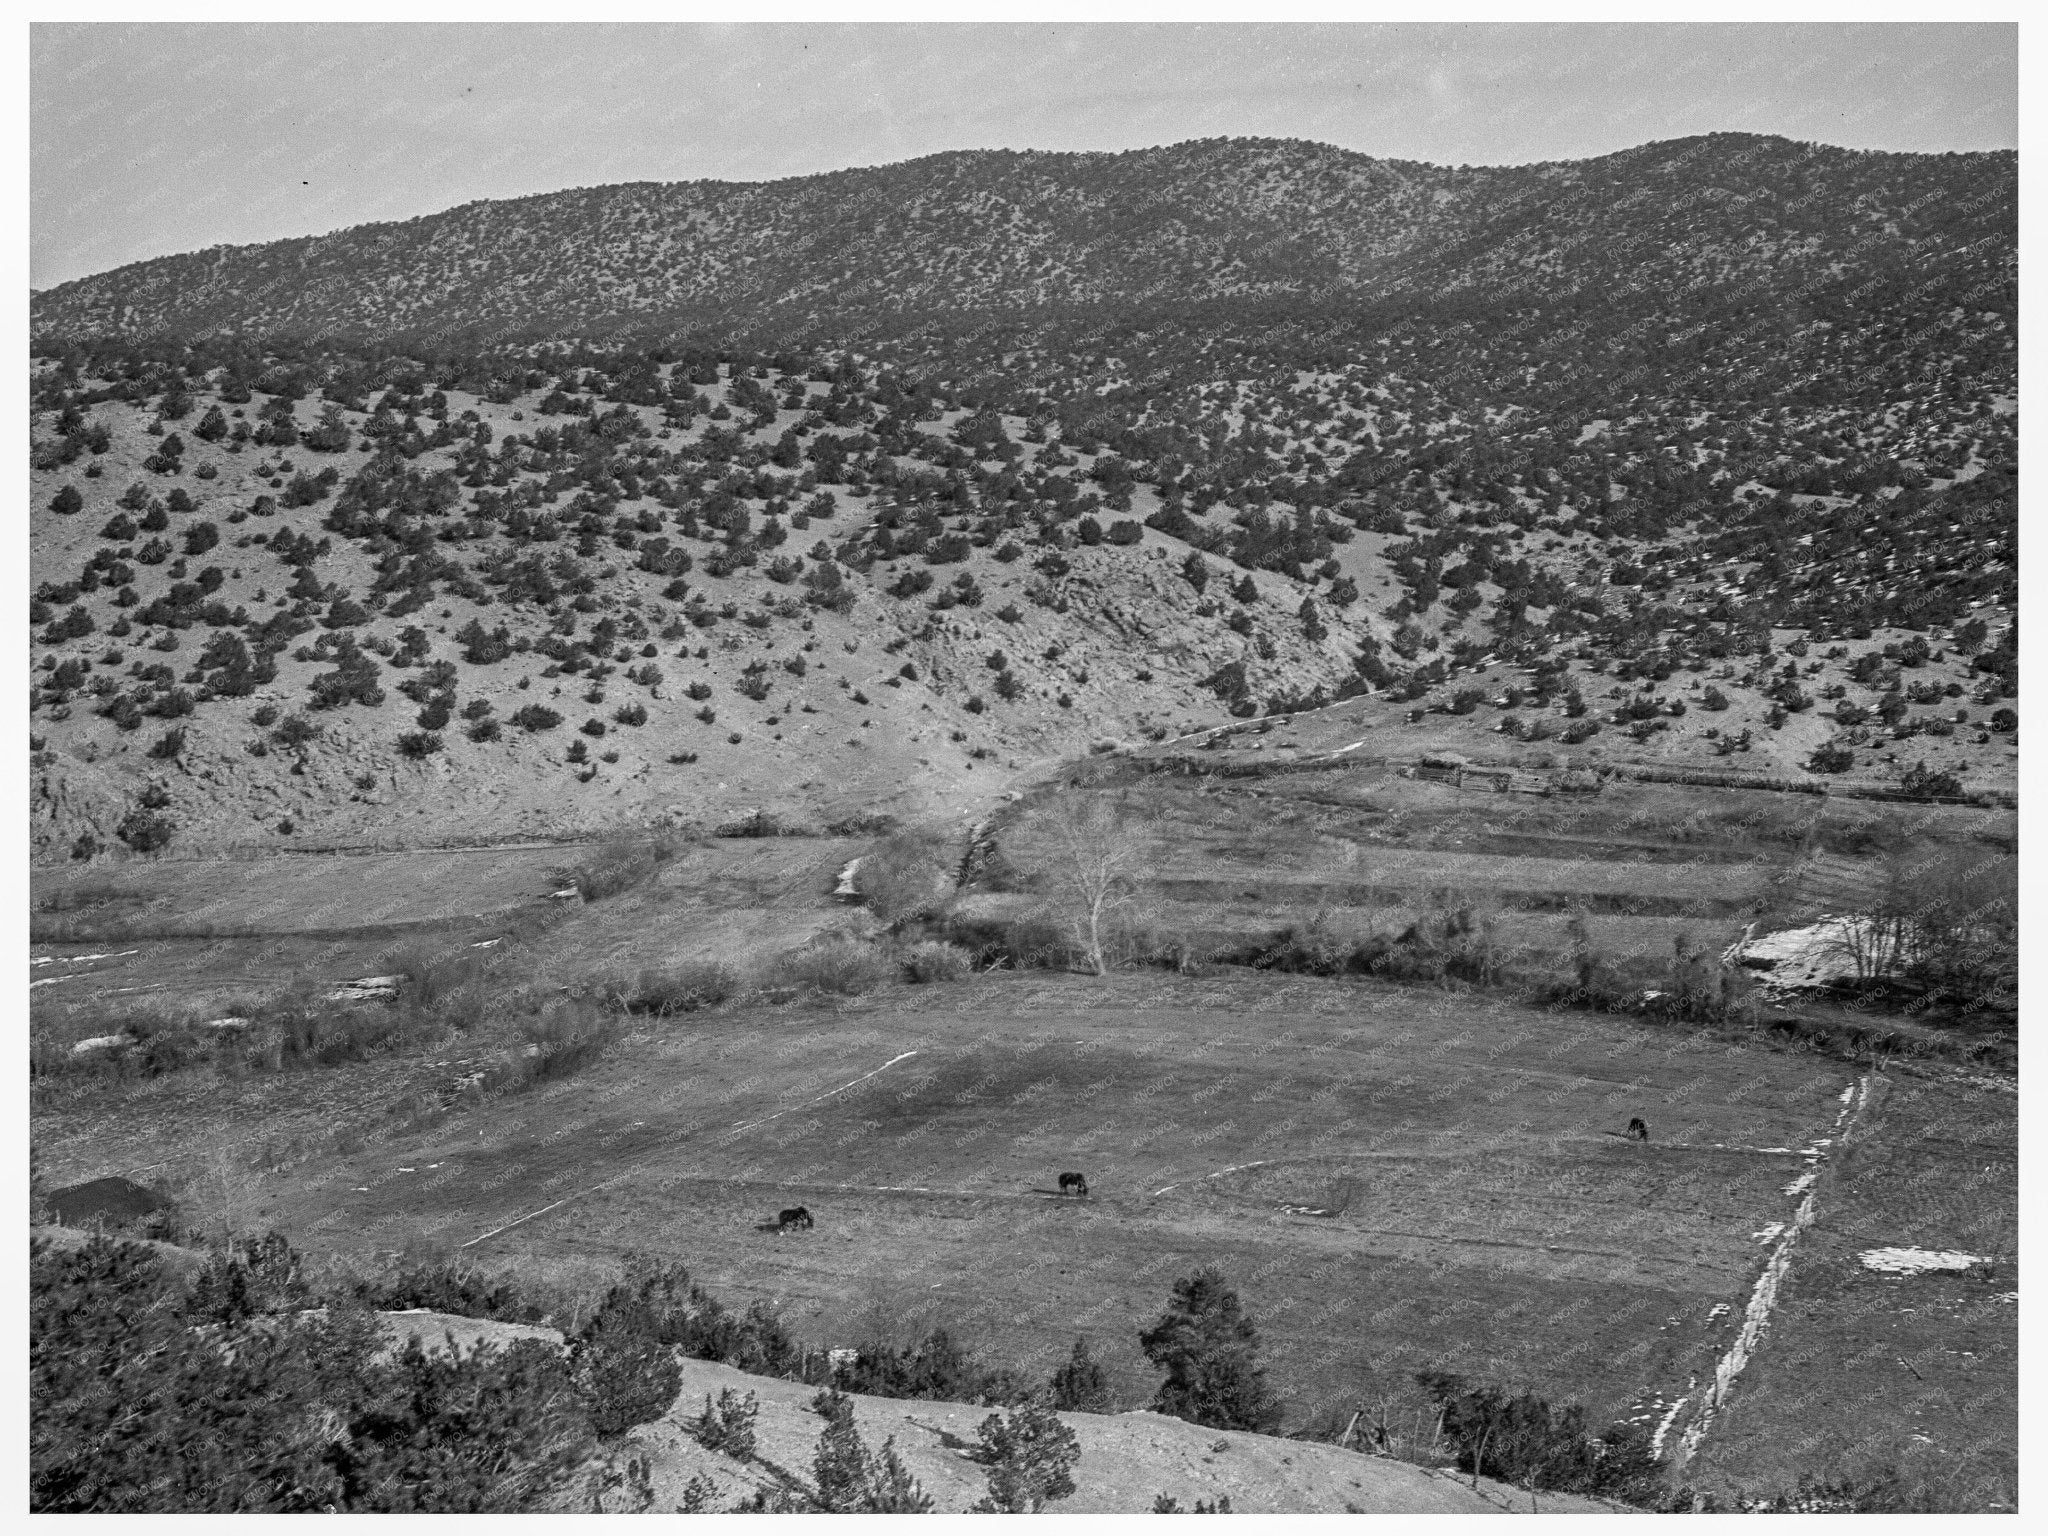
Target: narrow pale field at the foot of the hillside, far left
<point>216,937</point>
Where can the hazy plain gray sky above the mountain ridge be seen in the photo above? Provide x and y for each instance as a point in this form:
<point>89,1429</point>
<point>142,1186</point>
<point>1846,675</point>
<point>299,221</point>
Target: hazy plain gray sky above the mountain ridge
<point>163,138</point>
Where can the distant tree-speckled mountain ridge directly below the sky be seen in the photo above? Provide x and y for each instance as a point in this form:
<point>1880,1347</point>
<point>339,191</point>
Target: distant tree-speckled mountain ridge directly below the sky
<point>1031,232</point>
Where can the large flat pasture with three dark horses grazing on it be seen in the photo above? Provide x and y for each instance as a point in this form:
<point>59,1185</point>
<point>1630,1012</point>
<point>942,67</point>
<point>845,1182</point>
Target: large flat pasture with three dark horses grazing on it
<point>1490,1215</point>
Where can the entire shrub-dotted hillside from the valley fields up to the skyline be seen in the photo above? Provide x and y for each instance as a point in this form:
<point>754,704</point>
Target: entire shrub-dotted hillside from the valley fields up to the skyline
<point>1707,450</point>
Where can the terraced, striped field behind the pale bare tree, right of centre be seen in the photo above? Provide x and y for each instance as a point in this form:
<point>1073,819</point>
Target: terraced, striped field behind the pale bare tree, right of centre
<point>1365,851</point>
